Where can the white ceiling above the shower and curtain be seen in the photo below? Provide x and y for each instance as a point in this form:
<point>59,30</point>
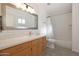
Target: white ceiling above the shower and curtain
<point>53,8</point>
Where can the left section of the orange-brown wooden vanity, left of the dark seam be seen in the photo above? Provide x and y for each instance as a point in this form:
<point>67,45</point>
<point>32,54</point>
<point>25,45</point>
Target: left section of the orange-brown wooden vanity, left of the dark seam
<point>17,50</point>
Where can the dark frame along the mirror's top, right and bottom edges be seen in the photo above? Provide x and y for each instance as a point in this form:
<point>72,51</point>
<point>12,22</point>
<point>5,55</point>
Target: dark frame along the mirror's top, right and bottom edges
<point>11,28</point>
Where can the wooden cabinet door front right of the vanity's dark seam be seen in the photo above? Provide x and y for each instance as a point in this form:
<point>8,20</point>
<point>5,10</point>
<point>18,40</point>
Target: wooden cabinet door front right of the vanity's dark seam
<point>37,48</point>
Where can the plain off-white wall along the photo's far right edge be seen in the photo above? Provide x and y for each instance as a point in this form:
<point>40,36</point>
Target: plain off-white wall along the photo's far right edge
<point>75,27</point>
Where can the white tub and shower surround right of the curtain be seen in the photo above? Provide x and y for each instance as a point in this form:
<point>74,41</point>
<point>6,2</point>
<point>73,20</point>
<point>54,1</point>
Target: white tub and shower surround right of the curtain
<point>62,29</point>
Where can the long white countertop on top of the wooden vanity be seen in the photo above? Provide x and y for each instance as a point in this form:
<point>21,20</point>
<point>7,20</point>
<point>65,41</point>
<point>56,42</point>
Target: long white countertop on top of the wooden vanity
<point>6,43</point>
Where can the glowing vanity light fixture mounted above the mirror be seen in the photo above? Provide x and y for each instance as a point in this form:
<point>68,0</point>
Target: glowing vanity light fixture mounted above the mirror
<point>25,7</point>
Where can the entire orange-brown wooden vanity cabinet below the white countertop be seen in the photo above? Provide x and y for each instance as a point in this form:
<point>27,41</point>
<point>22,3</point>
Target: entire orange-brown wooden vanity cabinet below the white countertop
<point>32,48</point>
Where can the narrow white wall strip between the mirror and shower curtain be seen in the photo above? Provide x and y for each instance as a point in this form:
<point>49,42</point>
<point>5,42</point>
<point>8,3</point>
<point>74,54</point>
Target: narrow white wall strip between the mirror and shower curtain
<point>42,20</point>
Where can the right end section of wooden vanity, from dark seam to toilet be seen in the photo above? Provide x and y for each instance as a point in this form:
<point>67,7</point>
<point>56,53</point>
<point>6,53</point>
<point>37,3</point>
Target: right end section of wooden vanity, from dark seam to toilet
<point>38,46</point>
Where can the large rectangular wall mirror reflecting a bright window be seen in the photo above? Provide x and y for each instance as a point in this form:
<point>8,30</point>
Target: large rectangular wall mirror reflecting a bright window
<point>18,19</point>
